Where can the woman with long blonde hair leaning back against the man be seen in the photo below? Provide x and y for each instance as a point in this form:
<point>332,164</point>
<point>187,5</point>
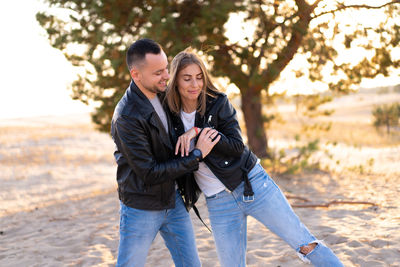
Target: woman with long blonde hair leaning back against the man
<point>233,181</point>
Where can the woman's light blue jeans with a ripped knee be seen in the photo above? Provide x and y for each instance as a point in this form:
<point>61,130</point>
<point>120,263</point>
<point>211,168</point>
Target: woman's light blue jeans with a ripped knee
<point>228,216</point>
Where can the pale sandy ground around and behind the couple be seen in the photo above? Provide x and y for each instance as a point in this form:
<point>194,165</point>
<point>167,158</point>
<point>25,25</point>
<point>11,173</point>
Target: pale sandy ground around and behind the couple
<point>59,207</point>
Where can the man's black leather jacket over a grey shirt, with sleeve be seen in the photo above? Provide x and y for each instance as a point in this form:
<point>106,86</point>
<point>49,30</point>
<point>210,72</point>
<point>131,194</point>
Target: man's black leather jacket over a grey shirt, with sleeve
<point>147,167</point>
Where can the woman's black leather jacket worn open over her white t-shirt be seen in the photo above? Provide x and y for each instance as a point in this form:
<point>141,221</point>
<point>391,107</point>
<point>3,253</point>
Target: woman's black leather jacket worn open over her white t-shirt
<point>230,160</point>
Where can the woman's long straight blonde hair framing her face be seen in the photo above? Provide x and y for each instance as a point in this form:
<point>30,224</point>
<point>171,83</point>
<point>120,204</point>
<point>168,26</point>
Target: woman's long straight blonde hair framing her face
<point>181,61</point>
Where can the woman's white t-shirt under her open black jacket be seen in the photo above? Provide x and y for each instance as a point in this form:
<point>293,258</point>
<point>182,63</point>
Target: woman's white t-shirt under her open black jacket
<point>205,178</point>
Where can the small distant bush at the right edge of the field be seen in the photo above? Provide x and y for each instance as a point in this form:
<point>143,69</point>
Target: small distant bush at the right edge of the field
<point>387,115</point>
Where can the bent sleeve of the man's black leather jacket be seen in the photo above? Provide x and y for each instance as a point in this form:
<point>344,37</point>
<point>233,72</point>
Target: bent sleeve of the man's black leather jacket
<point>136,147</point>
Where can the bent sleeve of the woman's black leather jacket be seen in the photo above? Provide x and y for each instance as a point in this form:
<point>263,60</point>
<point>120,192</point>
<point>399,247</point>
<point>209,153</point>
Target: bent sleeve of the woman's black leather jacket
<point>231,142</point>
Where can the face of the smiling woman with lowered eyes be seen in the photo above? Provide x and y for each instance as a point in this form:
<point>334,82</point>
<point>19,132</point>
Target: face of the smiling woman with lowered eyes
<point>190,83</point>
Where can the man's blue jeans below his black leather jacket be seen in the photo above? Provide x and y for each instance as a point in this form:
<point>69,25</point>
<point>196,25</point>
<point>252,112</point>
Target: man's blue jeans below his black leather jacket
<point>138,228</point>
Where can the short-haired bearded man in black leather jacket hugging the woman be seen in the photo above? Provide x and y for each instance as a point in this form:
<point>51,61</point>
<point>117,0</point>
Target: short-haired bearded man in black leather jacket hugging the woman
<point>147,169</point>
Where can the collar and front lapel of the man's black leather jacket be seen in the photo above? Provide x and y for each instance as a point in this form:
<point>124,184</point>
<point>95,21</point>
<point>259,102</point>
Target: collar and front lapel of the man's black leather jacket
<point>147,111</point>
